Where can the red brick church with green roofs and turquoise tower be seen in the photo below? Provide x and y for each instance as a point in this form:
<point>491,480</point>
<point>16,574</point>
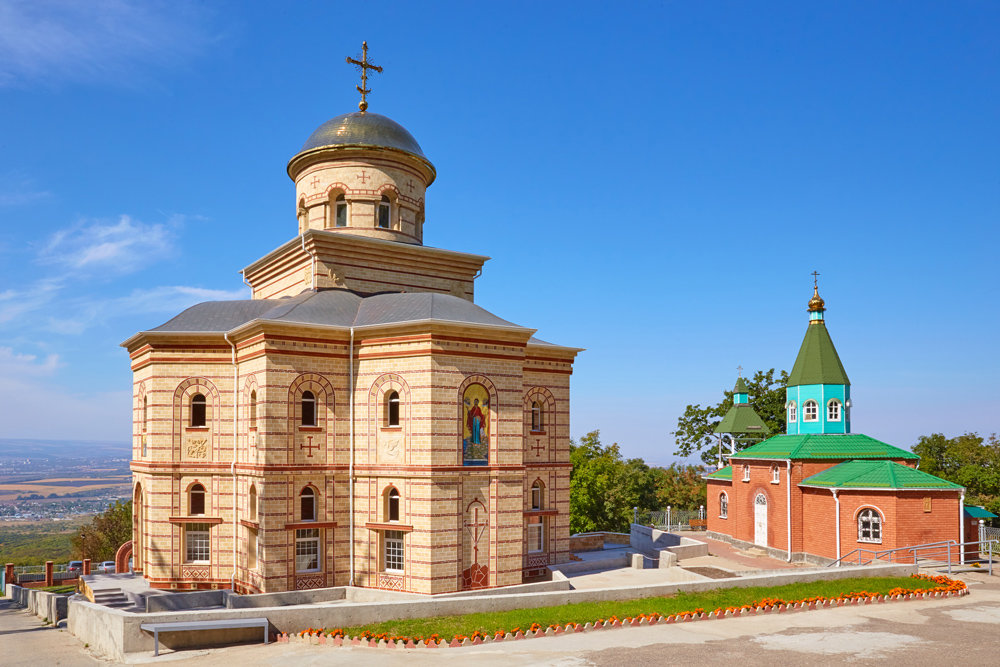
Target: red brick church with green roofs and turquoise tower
<point>821,491</point>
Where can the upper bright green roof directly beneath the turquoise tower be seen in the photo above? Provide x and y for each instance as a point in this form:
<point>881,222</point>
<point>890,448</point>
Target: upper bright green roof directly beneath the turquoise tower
<point>824,446</point>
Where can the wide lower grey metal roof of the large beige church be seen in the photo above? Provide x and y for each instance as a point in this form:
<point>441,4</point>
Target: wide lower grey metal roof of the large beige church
<point>333,308</point>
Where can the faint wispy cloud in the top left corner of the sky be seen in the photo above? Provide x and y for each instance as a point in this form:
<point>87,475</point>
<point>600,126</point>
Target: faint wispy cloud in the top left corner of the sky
<point>108,41</point>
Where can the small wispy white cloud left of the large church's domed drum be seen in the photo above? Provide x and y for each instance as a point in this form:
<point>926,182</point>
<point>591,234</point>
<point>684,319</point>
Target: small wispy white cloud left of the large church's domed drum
<point>104,246</point>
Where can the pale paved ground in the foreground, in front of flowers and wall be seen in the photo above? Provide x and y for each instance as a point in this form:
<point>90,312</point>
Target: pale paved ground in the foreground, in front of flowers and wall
<point>920,632</point>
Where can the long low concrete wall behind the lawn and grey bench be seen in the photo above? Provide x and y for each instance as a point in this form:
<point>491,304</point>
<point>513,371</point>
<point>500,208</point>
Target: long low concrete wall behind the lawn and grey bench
<point>115,633</point>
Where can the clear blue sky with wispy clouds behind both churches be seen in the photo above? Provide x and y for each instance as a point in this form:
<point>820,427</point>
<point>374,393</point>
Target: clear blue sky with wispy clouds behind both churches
<point>654,181</point>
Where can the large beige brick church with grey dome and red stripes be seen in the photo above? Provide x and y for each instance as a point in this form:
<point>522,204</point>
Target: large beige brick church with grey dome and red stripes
<point>360,420</point>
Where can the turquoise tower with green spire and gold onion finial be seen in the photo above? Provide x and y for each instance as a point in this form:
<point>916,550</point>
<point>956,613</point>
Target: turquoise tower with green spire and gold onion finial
<point>818,394</point>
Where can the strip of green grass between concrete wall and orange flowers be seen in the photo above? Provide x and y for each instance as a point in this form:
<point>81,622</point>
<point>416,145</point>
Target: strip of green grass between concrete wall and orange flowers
<point>588,612</point>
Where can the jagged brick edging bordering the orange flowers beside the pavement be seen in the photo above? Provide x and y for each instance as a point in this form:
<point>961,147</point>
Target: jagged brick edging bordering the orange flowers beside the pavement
<point>954,588</point>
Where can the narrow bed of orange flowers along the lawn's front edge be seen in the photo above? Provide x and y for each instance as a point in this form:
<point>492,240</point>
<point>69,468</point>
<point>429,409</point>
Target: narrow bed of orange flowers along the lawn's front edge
<point>941,586</point>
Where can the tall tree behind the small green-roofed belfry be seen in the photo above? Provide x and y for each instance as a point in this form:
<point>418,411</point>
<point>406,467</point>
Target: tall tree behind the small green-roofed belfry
<point>695,427</point>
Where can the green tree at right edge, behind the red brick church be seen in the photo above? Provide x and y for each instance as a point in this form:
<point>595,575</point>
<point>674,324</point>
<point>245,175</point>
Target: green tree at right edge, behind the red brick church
<point>969,460</point>
